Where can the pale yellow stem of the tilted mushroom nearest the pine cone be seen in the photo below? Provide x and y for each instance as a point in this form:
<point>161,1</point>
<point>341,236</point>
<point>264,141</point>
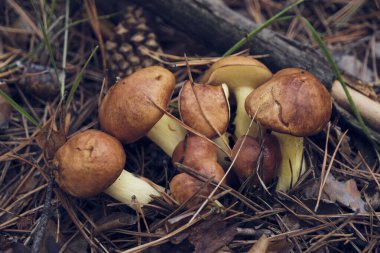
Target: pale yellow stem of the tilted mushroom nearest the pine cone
<point>166,133</point>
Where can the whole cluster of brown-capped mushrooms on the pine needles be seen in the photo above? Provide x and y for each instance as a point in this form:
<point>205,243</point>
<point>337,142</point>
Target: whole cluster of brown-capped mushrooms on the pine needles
<point>286,107</point>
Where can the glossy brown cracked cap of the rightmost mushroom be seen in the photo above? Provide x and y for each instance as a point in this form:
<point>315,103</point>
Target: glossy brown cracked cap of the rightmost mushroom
<point>292,102</point>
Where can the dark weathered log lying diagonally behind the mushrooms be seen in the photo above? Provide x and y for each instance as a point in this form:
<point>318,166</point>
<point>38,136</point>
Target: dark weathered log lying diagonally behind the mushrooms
<point>218,27</point>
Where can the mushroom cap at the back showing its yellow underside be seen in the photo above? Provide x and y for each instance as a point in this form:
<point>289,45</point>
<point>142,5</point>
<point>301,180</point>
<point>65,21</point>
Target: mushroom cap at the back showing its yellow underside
<point>237,71</point>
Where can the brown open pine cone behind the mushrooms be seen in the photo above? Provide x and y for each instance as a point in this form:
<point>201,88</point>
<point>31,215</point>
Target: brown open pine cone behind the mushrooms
<point>131,35</point>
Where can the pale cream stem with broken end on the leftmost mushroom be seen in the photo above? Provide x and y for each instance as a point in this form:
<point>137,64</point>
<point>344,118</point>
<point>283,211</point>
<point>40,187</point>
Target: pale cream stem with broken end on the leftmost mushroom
<point>132,190</point>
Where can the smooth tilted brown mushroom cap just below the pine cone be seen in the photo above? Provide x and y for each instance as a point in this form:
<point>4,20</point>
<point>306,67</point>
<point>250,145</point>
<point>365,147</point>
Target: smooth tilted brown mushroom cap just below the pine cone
<point>127,111</point>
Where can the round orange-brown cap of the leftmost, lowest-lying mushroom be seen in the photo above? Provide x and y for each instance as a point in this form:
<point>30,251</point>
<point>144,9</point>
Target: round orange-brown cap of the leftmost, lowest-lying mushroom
<point>88,163</point>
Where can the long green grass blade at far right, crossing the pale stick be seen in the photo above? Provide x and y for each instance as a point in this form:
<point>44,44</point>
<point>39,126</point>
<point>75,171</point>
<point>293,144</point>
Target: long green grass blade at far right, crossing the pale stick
<point>335,68</point>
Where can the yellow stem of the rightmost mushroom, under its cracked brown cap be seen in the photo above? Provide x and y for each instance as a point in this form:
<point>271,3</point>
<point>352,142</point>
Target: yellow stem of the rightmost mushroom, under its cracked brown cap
<point>292,165</point>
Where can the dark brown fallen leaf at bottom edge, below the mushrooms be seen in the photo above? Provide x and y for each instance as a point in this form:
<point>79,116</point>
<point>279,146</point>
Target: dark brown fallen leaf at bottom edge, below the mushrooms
<point>212,235</point>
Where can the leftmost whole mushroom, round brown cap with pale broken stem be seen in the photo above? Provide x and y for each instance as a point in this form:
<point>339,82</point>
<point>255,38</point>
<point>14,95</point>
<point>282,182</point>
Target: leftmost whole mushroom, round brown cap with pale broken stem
<point>91,162</point>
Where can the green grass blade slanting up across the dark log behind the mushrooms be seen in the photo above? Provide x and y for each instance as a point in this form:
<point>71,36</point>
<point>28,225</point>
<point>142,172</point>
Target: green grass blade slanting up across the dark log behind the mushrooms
<point>253,33</point>
